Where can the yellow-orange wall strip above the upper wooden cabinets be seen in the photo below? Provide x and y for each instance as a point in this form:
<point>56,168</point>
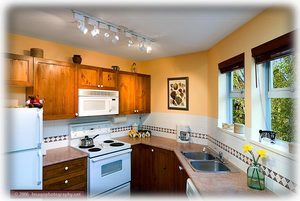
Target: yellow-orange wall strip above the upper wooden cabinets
<point>19,44</point>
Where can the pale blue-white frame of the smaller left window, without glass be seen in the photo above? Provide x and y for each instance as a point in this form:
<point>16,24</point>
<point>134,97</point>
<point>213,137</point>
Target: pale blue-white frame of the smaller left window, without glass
<point>233,93</point>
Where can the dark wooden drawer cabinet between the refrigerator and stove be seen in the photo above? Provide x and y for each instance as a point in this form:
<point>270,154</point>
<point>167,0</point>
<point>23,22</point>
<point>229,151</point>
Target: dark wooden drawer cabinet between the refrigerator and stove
<point>69,175</point>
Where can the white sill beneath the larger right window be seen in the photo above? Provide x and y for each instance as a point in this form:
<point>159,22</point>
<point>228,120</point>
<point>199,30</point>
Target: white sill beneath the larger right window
<point>280,148</point>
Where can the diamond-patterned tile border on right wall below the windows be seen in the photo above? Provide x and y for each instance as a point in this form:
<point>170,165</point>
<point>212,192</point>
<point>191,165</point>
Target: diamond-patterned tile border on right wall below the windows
<point>290,185</point>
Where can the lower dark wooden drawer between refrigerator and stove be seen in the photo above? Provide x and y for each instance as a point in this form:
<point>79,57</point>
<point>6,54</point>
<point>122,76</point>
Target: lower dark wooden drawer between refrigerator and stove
<point>75,181</point>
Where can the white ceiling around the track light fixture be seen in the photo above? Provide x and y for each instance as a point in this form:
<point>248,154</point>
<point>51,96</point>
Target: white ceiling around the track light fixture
<point>176,30</point>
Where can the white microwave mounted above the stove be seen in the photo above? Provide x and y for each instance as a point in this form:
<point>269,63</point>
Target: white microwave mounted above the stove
<point>97,102</point>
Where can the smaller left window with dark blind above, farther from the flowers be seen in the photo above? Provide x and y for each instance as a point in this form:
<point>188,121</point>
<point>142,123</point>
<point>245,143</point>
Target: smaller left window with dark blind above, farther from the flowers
<point>236,98</point>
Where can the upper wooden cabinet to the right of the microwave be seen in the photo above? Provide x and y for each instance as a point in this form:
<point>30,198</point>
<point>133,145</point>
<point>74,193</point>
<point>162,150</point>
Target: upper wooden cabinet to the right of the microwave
<point>134,93</point>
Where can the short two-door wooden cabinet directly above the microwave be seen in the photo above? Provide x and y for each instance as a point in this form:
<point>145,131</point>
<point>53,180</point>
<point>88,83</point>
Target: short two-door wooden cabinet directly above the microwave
<point>91,77</point>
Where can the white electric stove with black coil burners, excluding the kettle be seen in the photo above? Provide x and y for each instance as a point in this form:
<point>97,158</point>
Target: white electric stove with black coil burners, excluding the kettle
<point>109,160</point>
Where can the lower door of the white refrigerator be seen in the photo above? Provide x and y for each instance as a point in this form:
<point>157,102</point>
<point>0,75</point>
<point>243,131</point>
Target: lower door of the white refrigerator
<point>25,170</point>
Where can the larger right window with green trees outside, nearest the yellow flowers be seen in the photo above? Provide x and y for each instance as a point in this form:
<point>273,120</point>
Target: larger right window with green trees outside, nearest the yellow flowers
<point>280,97</point>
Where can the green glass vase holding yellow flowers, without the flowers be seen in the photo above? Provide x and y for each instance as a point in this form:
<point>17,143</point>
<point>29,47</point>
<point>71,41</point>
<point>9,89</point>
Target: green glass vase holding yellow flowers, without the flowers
<point>255,177</point>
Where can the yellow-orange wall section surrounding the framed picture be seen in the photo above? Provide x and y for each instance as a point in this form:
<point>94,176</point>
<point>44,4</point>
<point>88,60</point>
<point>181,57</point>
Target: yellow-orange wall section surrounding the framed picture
<point>193,66</point>
